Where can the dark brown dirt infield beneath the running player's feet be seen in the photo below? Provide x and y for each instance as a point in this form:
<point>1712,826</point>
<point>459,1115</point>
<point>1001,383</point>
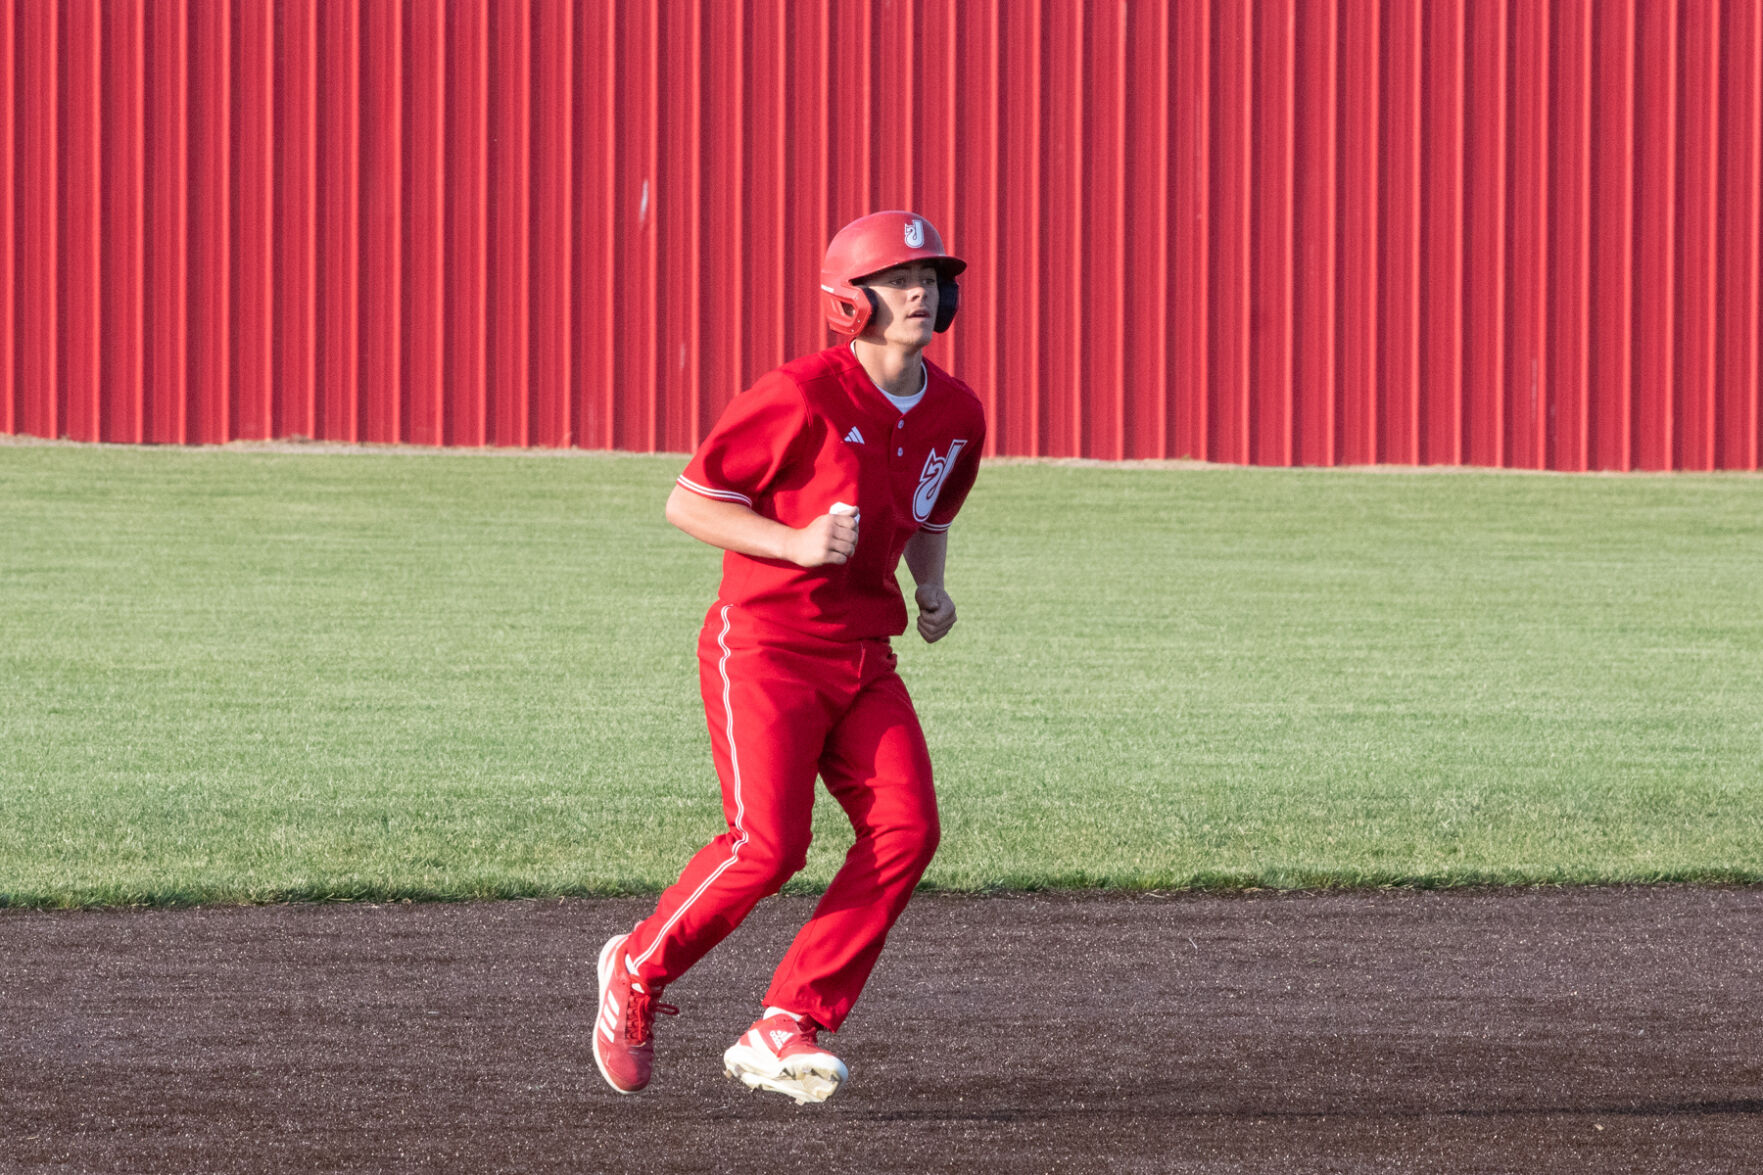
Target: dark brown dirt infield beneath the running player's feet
<point>1496,1031</point>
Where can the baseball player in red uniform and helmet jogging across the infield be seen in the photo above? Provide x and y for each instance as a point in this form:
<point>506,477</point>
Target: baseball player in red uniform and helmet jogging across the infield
<point>815,483</point>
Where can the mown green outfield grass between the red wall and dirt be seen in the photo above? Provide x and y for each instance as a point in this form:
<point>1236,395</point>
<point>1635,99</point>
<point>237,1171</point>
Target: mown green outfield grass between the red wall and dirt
<point>235,677</point>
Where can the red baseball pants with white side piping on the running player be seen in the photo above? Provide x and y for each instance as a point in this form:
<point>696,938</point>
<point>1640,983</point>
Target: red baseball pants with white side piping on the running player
<point>784,710</point>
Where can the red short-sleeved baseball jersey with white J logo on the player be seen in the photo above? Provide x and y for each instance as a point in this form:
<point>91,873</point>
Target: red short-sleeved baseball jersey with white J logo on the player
<point>817,433</point>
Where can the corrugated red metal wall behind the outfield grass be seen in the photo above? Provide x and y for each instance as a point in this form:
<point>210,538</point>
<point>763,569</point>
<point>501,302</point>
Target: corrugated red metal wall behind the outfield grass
<point>1277,232</point>
